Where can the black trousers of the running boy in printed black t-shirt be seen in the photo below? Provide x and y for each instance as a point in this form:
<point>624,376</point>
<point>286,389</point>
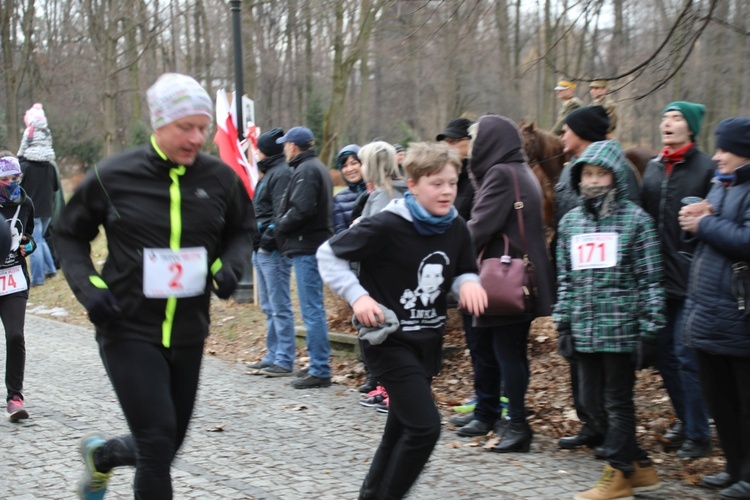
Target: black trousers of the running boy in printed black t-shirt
<point>410,435</point>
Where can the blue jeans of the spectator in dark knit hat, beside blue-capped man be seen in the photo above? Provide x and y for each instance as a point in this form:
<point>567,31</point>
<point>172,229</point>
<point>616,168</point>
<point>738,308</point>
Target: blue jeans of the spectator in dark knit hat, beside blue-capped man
<point>273,272</point>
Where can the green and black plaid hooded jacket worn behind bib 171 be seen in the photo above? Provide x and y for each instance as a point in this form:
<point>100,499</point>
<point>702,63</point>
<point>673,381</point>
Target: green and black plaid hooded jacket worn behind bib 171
<point>609,309</point>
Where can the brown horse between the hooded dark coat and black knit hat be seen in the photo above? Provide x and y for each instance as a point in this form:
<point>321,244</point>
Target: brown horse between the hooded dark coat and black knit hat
<point>547,159</point>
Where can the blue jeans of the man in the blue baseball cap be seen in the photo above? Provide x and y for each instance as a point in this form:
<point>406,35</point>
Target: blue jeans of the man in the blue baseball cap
<point>310,292</point>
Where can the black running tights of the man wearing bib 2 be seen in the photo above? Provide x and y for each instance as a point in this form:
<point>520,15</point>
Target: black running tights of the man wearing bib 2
<point>156,388</point>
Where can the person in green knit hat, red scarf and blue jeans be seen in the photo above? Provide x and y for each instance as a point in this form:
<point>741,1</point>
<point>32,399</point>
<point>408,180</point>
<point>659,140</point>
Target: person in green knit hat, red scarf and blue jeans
<point>681,170</point>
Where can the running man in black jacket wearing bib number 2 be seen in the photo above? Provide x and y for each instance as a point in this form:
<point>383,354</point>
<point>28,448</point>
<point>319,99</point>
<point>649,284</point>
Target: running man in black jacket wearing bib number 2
<point>177,221</point>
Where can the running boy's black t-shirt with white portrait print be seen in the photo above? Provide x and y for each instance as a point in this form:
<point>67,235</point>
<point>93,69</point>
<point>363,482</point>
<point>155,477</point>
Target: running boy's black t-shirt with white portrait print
<point>411,275</point>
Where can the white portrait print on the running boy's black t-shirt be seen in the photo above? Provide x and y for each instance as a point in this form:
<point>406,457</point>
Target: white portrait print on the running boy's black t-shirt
<point>420,302</point>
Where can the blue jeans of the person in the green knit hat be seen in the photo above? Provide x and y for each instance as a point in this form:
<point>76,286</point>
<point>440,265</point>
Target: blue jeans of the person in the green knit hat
<point>679,369</point>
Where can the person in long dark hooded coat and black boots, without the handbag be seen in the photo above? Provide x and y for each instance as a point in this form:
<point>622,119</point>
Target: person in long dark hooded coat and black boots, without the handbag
<point>497,160</point>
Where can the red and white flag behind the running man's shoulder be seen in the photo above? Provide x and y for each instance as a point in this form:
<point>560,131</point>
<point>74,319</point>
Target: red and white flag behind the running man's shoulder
<point>230,149</point>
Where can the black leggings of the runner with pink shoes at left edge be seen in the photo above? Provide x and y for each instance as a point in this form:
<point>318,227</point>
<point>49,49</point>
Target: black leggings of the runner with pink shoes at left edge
<point>13,315</point>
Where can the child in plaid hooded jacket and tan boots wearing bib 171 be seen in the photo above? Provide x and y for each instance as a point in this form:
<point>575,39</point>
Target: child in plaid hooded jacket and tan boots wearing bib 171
<point>610,305</point>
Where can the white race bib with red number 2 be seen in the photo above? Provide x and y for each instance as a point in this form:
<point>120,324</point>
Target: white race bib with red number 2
<point>174,273</point>
